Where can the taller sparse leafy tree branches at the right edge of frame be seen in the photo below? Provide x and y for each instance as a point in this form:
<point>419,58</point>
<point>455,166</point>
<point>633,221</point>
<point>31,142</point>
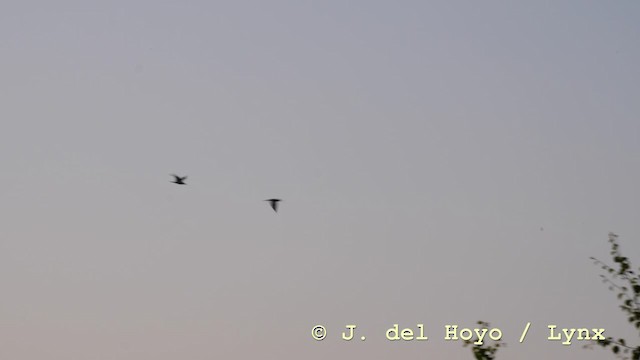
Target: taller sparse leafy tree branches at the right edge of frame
<point>626,283</point>
